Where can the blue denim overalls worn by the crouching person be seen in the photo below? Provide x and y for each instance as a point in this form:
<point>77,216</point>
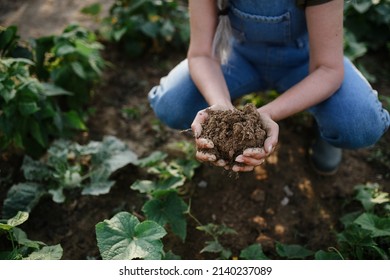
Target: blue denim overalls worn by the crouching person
<point>271,51</point>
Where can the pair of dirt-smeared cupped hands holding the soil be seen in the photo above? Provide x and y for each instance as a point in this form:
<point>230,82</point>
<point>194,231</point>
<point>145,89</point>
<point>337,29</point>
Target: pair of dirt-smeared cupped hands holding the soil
<point>250,158</point>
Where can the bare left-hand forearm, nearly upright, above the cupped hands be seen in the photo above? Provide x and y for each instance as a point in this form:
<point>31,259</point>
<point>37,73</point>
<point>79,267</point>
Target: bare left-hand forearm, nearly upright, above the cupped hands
<point>207,76</point>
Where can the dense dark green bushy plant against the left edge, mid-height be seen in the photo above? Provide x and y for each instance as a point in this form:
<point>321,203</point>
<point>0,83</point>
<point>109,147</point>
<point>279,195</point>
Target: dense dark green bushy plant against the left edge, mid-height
<point>29,115</point>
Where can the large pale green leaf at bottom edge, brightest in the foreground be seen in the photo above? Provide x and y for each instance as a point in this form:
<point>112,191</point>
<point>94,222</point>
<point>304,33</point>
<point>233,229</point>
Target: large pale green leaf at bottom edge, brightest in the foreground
<point>123,237</point>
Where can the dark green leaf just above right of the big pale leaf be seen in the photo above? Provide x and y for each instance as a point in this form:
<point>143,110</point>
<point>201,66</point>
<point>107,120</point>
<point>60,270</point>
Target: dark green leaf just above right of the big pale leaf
<point>168,209</point>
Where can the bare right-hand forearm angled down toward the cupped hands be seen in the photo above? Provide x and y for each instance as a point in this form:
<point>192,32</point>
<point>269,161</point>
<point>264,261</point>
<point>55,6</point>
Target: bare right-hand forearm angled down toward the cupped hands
<point>315,88</point>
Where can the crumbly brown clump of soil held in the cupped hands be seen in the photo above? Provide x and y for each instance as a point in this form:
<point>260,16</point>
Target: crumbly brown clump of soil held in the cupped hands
<point>233,131</point>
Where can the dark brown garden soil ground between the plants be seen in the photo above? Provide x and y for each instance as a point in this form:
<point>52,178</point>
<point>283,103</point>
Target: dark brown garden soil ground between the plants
<point>281,201</point>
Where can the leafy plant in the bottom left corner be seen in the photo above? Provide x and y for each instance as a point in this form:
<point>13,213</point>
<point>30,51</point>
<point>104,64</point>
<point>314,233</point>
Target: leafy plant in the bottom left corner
<point>16,246</point>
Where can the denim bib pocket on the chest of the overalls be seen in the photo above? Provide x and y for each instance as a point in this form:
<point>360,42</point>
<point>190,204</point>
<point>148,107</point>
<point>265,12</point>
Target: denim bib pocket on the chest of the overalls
<point>261,29</point>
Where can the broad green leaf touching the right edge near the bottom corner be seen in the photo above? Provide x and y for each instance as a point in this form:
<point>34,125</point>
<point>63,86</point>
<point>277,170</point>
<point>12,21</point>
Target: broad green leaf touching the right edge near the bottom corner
<point>376,225</point>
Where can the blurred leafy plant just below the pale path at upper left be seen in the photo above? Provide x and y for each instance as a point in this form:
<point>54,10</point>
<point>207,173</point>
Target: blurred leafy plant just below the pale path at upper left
<point>72,61</point>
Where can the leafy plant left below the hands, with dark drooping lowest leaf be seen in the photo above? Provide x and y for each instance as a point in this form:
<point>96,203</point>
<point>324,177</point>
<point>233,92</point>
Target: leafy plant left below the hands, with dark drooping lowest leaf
<point>165,204</point>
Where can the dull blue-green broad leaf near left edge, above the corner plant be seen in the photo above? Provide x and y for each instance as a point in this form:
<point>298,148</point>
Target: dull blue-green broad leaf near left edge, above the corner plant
<point>22,197</point>
